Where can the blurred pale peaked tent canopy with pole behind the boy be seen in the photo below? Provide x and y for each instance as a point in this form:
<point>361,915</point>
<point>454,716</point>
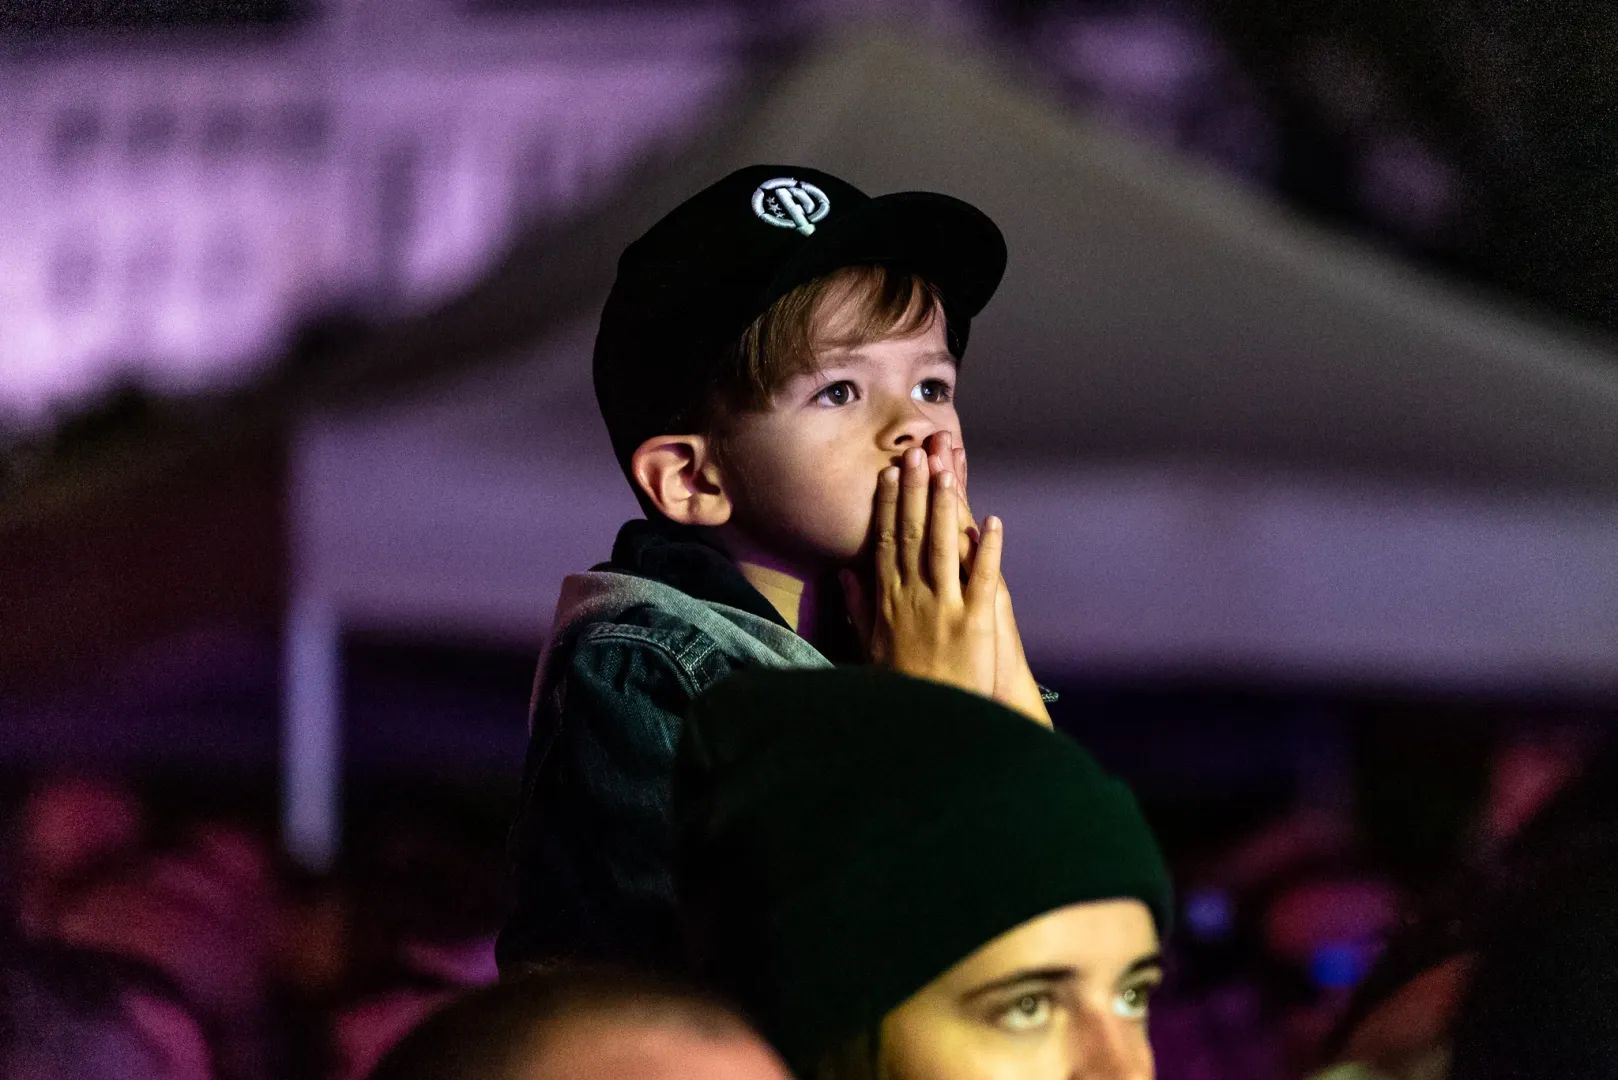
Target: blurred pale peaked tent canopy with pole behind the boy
<point>1221,438</point>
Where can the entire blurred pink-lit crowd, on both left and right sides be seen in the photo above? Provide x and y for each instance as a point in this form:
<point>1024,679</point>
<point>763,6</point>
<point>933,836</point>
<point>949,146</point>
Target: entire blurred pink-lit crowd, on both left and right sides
<point>138,921</point>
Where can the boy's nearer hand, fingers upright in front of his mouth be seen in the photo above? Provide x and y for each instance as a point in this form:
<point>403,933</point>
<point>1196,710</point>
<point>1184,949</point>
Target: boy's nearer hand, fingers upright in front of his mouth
<point>923,619</point>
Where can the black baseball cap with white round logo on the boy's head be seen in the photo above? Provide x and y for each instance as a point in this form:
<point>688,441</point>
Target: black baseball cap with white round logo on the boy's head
<point>688,289</point>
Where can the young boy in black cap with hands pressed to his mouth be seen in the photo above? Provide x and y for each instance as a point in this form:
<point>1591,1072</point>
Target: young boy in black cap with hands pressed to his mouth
<point>776,367</point>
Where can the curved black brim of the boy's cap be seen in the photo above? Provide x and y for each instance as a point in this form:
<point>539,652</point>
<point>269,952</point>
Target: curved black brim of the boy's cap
<point>951,244</point>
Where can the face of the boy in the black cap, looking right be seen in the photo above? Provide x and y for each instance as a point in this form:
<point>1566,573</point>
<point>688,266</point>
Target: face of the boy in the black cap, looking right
<point>803,474</point>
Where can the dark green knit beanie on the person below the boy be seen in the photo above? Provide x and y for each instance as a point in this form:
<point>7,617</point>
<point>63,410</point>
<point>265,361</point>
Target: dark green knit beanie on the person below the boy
<point>847,836</point>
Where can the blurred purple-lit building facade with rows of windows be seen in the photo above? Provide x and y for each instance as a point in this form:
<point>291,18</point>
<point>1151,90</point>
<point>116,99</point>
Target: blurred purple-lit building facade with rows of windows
<point>176,203</point>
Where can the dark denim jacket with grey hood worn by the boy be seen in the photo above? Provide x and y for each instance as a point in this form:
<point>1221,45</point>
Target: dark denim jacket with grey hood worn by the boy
<point>635,642</point>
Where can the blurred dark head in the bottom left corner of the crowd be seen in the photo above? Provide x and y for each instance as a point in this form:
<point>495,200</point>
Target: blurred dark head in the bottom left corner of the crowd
<point>70,1014</point>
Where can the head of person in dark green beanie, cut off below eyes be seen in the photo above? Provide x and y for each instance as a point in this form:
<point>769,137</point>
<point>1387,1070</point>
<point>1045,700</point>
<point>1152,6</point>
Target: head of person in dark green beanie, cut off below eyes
<point>904,880</point>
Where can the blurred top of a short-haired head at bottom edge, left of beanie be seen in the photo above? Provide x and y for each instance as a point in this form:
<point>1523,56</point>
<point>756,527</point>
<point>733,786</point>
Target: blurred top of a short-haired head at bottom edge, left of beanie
<point>583,1024</point>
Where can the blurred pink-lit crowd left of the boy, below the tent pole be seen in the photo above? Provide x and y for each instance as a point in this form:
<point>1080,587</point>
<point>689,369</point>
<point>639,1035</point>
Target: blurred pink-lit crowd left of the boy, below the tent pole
<point>261,972</point>
